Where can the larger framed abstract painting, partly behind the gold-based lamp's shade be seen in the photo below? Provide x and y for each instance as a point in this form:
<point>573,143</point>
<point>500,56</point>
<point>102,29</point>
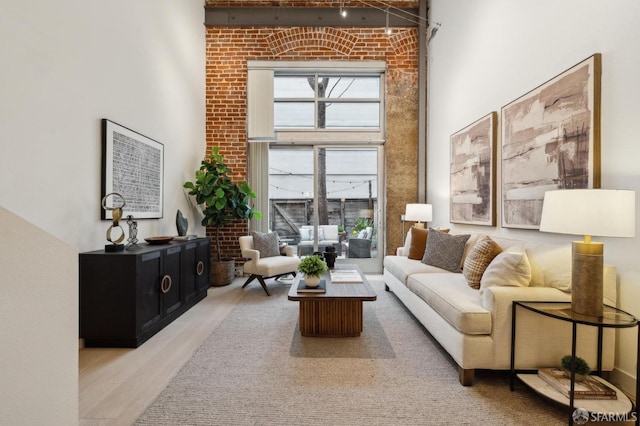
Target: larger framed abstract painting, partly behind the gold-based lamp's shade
<point>550,140</point>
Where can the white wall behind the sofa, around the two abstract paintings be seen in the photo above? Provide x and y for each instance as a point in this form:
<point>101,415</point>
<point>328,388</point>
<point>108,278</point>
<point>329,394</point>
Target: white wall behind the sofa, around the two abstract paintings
<point>489,52</point>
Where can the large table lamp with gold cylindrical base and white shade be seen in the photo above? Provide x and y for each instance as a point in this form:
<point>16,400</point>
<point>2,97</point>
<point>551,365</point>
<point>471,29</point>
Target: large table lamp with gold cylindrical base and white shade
<point>600,212</point>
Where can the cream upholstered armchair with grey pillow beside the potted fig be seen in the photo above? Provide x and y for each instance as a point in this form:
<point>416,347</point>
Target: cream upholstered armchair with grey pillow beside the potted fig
<point>266,260</point>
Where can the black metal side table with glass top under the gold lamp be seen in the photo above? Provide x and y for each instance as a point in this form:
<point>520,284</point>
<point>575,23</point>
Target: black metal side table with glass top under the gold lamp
<point>611,318</point>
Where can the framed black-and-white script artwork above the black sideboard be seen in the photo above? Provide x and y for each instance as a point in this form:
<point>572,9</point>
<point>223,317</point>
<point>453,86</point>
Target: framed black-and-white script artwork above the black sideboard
<point>132,166</point>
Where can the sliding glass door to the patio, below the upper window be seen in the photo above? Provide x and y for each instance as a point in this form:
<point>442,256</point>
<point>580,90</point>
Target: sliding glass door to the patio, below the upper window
<point>328,198</point>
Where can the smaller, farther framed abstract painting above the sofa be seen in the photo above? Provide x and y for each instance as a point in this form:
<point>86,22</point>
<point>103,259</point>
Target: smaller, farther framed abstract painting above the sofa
<point>472,173</point>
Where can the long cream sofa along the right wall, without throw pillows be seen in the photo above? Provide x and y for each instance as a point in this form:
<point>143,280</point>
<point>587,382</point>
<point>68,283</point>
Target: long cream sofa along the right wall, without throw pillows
<point>474,325</point>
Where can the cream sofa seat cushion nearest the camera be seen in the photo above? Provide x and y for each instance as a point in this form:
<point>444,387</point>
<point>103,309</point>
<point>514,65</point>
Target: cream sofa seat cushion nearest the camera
<point>450,296</point>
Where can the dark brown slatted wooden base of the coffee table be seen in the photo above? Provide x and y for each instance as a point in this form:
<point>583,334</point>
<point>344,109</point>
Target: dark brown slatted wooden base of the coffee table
<point>331,318</point>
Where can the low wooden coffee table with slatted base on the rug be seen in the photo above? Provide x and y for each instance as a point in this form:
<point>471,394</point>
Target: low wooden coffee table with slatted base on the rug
<point>338,311</point>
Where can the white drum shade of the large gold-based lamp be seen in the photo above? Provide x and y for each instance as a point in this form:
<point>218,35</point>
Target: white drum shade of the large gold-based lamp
<point>600,212</point>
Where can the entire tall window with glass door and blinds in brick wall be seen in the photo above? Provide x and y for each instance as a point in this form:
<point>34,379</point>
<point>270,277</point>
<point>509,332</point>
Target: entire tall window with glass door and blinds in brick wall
<point>325,190</point>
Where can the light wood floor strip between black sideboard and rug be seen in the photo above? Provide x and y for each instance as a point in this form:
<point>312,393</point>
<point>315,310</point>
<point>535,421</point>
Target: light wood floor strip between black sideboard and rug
<point>116,385</point>
